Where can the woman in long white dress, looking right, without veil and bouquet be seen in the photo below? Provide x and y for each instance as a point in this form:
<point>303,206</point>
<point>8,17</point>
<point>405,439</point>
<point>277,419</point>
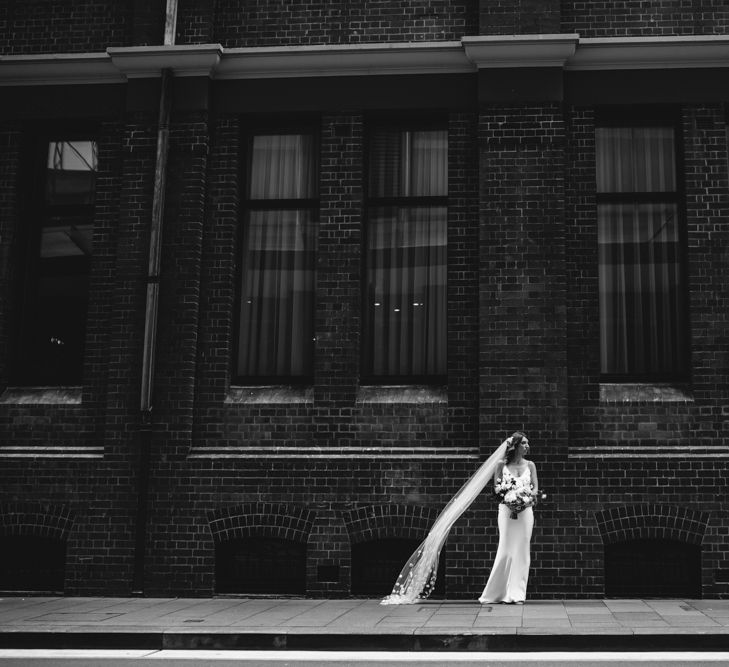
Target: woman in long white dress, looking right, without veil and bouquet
<point>510,572</point>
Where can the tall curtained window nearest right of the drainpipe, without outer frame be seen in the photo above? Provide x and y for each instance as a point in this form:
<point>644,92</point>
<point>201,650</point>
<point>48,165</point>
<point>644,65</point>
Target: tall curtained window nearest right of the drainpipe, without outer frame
<point>276,323</point>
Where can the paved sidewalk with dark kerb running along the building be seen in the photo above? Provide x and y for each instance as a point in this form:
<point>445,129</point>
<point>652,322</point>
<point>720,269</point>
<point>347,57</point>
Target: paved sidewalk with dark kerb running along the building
<point>265,623</point>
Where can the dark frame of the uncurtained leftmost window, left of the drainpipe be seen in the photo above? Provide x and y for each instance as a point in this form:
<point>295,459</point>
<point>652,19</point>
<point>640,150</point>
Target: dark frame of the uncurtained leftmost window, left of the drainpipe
<point>34,213</point>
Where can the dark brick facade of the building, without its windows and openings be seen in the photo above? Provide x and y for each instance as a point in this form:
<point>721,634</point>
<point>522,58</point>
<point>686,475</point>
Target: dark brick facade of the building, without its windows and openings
<point>338,463</point>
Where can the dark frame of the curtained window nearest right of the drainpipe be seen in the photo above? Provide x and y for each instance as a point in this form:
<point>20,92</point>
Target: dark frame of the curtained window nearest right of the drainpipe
<point>251,128</point>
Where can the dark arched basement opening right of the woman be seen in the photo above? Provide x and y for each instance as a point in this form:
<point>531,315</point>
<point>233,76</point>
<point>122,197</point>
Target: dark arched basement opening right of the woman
<point>652,568</point>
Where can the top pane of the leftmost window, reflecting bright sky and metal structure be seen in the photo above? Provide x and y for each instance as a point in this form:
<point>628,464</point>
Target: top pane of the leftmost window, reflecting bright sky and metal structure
<point>71,172</point>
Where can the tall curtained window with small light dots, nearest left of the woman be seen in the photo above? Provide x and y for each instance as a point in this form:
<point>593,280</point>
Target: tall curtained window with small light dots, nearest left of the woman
<point>406,254</point>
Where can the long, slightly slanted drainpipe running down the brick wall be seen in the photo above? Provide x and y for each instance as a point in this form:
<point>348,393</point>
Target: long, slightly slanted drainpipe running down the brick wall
<point>152,308</point>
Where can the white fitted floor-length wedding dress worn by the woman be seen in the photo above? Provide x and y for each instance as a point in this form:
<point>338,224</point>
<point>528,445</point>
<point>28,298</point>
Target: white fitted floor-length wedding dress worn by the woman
<point>510,572</point>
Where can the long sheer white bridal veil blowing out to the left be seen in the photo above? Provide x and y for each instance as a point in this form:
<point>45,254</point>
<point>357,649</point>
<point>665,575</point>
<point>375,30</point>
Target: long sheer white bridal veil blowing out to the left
<point>417,578</point>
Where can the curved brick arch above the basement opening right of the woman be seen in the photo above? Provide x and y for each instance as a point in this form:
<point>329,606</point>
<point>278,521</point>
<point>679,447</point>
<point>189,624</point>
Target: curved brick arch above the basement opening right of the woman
<point>647,521</point>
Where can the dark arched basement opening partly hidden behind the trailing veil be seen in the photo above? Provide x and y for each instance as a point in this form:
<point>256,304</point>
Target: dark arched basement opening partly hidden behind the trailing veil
<point>376,564</point>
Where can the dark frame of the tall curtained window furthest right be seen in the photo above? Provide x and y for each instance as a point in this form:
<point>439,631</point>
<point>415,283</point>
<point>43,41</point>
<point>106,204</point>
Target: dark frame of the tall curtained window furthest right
<point>644,117</point>
